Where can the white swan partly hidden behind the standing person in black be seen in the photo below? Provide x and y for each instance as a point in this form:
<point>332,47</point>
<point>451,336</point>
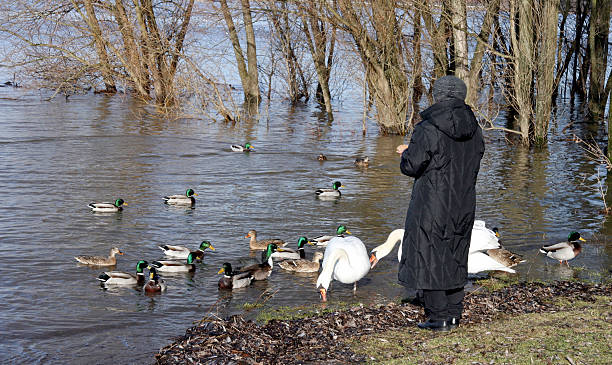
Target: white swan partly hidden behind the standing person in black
<point>478,261</point>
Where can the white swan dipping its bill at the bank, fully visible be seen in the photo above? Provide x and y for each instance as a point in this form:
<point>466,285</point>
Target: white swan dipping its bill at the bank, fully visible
<point>346,260</point>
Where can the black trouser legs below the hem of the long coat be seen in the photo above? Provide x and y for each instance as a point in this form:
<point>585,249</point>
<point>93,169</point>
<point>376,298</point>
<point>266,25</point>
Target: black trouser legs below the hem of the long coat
<point>442,304</point>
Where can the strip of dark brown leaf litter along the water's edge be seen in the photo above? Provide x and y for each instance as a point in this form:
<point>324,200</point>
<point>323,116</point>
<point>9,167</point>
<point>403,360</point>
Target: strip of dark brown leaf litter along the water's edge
<point>321,339</point>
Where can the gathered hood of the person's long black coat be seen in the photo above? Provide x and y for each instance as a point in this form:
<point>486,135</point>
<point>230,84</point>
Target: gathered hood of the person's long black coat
<point>453,117</point>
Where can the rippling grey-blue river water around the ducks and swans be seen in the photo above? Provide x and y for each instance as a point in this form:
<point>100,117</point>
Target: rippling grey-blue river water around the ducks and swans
<point>58,156</point>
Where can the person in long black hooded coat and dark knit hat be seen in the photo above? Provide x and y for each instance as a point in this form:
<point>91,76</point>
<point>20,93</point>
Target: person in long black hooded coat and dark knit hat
<point>444,158</point>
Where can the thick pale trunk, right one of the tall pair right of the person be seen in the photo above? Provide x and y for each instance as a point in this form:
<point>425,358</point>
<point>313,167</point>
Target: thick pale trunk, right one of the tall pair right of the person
<point>547,11</point>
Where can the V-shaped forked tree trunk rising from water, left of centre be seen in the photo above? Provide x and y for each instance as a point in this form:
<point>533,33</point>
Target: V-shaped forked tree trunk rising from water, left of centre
<point>248,73</point>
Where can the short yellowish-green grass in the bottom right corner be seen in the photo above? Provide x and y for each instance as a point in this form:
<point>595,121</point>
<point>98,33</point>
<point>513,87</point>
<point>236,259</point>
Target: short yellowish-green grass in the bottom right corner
<point>579,333</point>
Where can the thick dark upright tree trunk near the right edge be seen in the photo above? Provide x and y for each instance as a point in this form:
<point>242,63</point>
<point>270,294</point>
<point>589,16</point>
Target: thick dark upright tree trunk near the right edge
<point>598,41</point>
